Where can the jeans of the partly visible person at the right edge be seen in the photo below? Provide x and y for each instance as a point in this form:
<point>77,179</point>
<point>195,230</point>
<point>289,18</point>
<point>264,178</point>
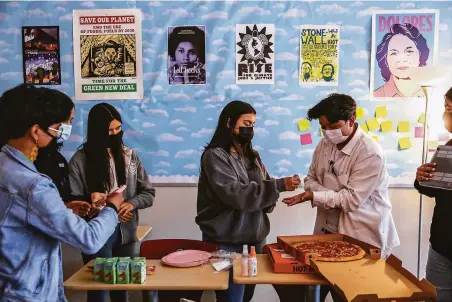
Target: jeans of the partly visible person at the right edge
<point>439,273</point>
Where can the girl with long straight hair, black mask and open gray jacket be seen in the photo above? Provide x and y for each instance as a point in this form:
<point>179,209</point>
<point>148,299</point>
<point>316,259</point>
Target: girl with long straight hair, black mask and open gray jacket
<point>102,165</point>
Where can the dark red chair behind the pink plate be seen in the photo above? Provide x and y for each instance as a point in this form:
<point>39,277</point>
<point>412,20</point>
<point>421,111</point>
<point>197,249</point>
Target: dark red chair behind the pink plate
<point>157,249</point>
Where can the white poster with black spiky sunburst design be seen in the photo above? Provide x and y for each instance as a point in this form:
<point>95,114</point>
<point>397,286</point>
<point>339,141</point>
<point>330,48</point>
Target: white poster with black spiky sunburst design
<point>255,59</point>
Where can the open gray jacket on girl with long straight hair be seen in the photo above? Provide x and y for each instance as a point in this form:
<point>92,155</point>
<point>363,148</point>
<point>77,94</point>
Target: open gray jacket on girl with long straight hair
<point>139,191</point>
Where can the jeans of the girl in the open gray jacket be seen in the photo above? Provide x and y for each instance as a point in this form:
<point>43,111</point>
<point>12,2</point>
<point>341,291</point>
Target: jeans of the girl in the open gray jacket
<point>112,248</point>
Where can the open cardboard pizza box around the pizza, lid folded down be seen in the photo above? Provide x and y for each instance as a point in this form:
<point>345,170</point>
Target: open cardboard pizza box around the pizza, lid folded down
<point>368,279</point>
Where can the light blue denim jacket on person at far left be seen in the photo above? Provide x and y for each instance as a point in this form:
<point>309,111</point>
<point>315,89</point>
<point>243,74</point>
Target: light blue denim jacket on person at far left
<point>33,222</point>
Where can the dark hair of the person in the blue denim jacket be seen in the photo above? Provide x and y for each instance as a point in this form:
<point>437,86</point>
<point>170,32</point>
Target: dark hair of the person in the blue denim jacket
<point>25,105</point>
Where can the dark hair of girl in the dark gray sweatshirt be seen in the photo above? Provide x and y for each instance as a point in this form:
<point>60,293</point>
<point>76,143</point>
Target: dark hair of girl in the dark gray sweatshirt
<point>224,136</point>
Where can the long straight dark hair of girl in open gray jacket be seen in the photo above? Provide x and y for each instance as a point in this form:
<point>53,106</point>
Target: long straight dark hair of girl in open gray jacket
<point>95,148</point>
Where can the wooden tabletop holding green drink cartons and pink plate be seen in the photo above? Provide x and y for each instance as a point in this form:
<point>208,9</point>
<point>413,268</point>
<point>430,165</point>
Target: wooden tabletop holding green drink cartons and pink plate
<point>165,278</point>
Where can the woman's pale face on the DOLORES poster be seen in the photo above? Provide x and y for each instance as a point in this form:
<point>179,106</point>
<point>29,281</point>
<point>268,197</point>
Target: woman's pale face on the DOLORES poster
<point>402,54</point>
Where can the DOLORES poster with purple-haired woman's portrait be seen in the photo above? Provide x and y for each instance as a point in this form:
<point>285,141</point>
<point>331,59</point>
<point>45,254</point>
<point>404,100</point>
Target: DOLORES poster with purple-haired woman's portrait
<point>401,39</point>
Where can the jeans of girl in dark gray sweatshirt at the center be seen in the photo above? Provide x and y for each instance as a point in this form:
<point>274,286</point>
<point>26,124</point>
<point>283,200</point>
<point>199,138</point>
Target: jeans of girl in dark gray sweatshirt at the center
<point>235,292</point>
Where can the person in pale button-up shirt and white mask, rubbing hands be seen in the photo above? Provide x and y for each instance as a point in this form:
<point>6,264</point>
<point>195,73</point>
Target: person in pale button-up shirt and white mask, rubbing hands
<point>348,179</point>
